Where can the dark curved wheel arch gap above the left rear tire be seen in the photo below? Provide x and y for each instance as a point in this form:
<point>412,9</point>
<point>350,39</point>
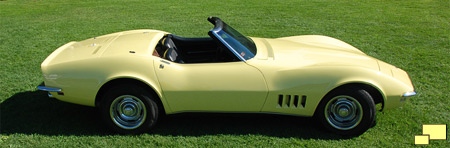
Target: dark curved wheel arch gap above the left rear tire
<point>122,80</point>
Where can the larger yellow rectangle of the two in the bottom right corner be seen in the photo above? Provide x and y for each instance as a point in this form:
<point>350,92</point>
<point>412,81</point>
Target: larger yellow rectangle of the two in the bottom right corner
<point>436,131</point>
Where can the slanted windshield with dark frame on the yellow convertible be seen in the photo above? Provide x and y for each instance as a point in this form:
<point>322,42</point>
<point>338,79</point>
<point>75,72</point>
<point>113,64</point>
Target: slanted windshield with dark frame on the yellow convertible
<point>243,47</point>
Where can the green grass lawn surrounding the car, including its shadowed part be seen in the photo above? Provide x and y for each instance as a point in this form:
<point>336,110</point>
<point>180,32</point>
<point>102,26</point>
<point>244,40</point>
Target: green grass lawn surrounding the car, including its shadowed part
<point>411,34</point>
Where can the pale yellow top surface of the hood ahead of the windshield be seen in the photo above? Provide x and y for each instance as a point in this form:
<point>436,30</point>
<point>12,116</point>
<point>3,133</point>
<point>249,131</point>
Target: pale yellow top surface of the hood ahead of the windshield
<point>311,50</point>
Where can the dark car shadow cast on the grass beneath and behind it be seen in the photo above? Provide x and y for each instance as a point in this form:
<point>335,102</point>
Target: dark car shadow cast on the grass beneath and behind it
<point>32,112</point>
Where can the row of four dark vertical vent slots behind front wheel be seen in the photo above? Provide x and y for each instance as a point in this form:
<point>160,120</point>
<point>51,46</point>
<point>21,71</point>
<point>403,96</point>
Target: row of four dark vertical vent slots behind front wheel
<point>291,102</point>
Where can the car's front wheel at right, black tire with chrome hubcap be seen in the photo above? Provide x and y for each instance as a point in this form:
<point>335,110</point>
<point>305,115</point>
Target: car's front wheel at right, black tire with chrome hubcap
<point>347,111</point>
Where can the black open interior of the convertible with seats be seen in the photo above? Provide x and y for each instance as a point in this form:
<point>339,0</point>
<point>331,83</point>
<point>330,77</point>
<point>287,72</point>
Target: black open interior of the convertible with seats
<point>193,50</point>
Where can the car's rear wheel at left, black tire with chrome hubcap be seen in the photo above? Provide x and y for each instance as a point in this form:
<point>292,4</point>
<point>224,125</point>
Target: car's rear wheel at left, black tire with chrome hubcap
<point>129,109</point>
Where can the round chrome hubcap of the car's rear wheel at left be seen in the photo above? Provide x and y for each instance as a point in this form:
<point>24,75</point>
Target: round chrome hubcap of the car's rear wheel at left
<point>128,112</point>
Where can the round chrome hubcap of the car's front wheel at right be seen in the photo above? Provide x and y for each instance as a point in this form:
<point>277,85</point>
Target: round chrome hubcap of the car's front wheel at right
<point>343,112</point>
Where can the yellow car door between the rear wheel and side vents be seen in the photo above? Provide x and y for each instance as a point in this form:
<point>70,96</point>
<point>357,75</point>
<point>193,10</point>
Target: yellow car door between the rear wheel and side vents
<point>231,86</point>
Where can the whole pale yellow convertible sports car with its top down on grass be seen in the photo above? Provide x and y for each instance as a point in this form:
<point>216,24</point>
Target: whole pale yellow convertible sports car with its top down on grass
<point>136,76</point>
